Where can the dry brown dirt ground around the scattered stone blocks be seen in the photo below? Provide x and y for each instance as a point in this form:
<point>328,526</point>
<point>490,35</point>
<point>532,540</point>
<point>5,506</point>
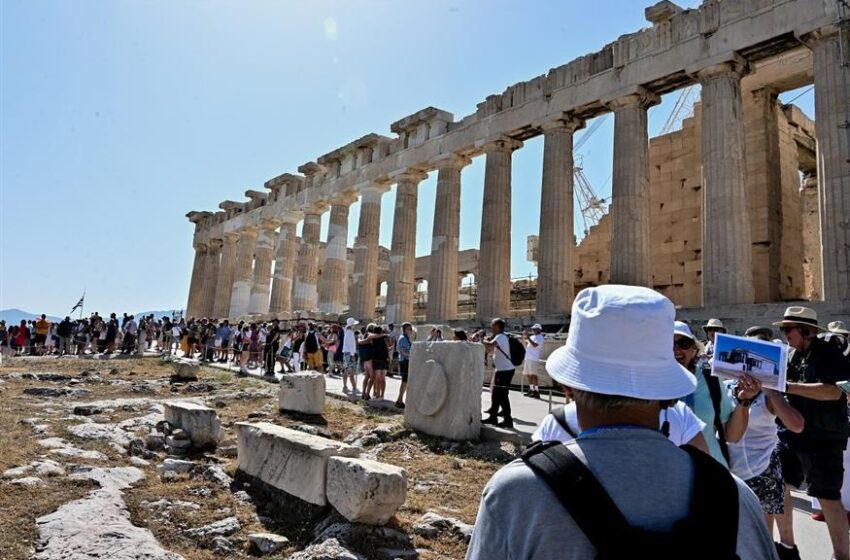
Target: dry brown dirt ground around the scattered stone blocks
<point>443,477</point>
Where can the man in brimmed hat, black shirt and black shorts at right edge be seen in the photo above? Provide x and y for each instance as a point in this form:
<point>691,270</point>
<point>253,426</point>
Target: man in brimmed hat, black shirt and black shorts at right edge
<point>815,455</point>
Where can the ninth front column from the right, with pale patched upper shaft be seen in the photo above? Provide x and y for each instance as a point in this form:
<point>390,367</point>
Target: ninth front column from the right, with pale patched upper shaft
<point>333,284</point>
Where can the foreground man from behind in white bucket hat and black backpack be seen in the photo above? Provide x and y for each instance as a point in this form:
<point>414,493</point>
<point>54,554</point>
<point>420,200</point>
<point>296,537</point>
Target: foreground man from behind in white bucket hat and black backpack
<point>585,499</point>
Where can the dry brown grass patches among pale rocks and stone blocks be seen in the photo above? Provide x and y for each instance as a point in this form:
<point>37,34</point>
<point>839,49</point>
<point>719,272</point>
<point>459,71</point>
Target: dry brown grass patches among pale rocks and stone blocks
<point>444,480</point>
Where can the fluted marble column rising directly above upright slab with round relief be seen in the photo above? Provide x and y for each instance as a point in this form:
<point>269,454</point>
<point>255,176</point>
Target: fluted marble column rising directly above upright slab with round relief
<point>442,283</point>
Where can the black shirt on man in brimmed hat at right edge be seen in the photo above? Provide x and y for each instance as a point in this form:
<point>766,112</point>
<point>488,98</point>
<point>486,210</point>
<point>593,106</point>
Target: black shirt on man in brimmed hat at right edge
<point>821,363</point>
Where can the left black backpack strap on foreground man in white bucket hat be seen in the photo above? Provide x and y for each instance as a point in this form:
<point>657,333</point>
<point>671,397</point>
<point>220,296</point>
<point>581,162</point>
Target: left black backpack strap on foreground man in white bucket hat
<point>576,487</point>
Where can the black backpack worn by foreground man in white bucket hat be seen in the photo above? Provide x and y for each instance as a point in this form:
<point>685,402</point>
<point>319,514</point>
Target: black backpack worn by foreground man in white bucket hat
<point>714,503</point>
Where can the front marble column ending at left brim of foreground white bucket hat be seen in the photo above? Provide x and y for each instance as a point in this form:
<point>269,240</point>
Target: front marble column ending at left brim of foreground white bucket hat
<point>557,238</point>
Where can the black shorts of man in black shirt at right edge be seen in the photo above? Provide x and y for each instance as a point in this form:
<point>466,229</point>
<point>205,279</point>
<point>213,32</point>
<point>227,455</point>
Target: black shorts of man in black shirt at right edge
<point>820,464</point>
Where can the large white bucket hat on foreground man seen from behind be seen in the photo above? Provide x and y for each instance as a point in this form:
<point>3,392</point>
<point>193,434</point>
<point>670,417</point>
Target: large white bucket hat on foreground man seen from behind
<point>619,344</point>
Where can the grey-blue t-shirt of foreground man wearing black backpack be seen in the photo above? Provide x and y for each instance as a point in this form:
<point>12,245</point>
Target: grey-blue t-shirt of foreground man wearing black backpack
<point>648,478</point>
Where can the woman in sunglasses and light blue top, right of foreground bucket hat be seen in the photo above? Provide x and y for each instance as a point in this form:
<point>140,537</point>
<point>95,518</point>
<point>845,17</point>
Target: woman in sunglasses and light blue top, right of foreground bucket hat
<point>710,401</point>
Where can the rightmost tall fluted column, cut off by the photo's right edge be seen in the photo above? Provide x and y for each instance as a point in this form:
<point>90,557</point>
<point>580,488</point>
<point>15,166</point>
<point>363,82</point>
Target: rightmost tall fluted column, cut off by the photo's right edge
<point>832,115</point>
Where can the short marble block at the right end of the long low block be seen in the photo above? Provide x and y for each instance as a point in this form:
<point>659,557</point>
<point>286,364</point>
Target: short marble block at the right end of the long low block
<point>365,491</point>
